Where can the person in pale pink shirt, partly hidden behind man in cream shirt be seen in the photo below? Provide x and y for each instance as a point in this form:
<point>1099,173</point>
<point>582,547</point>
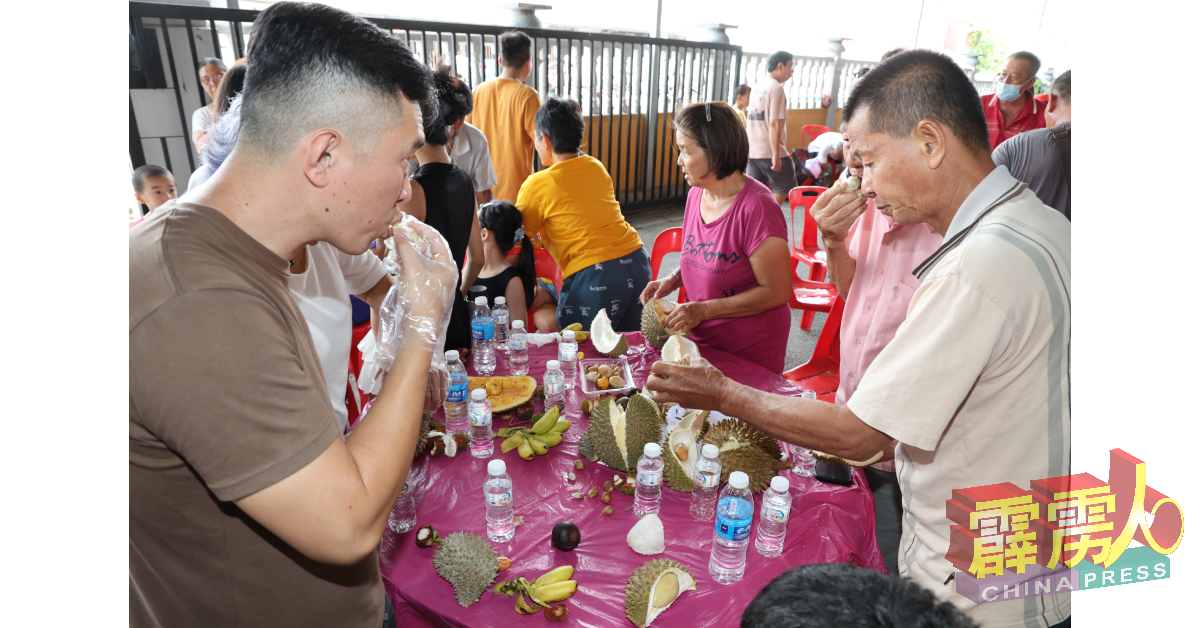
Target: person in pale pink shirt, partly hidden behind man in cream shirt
<point>869,250</point>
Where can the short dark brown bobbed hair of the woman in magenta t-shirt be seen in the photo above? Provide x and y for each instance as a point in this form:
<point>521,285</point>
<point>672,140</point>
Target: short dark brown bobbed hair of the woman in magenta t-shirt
<point>719,134</point>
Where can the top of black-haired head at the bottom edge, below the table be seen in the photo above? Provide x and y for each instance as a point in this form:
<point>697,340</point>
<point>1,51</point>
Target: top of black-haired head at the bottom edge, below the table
<point>817,596</point>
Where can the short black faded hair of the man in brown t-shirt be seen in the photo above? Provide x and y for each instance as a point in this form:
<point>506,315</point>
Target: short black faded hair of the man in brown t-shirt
<point>311,65</point>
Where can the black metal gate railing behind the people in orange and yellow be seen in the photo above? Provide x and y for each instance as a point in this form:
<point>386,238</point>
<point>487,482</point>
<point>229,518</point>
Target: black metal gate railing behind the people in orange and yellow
<point>628,87</point>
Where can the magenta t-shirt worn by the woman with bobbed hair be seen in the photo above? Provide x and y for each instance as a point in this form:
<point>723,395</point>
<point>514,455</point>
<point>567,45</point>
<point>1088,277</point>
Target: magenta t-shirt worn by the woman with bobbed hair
<point>716,265</point>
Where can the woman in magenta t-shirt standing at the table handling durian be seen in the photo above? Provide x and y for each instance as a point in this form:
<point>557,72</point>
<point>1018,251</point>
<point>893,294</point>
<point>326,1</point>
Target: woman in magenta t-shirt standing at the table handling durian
<point>735,261</point>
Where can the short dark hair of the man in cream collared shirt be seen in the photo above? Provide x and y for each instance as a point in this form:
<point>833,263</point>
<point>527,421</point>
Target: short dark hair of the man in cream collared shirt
<point>915,86</point>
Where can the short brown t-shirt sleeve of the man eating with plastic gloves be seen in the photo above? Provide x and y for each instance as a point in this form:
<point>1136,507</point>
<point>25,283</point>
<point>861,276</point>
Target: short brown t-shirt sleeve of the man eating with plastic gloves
<point>218,376</point>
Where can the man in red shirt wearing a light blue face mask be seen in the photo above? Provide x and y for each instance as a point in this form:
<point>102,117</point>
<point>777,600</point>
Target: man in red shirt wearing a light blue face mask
<point>1012,110</point>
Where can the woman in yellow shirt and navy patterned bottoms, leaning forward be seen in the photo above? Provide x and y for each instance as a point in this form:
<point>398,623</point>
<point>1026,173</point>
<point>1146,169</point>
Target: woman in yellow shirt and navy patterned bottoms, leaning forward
<point>572,205</point>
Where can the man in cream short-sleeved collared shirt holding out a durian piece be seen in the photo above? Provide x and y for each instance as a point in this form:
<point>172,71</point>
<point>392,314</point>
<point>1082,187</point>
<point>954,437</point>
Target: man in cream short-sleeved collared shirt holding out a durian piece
<point>976,385</point>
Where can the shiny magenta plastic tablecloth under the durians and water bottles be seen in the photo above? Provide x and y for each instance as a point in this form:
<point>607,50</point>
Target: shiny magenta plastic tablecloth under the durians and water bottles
<point>829,524</point>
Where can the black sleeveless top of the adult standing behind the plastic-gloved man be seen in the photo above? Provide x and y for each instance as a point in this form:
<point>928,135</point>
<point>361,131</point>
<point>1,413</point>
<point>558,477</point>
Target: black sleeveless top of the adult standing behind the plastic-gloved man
<point>451,210</point>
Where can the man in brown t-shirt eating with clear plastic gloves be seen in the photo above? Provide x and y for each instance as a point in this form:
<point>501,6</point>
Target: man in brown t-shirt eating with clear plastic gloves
<point>247,506</point>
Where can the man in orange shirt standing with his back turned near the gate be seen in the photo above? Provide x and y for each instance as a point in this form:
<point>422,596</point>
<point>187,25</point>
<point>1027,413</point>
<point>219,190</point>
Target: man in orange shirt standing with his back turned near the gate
<point>505,112</point>
